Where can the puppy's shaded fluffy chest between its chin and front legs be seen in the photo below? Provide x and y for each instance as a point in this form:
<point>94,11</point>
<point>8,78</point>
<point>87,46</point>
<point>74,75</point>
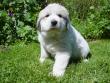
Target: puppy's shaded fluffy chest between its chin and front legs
<point>58,43</point>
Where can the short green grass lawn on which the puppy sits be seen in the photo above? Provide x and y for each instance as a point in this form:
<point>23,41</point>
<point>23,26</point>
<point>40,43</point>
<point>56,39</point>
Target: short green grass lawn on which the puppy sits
<point>19,63</point>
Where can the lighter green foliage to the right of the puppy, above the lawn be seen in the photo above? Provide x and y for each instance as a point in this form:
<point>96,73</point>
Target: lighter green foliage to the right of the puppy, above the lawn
<point>90,17</point>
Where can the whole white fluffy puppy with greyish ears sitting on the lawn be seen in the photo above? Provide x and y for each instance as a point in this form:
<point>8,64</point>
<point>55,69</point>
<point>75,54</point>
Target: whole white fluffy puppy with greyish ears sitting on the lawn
<point>59,38</point>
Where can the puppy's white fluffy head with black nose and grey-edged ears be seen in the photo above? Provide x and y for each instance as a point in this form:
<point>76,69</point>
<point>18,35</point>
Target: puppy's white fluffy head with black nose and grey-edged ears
<point>53,17</point>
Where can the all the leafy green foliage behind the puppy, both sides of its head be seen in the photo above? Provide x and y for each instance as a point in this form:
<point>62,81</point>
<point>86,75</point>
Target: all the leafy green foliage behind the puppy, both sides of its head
<point>18,18</point>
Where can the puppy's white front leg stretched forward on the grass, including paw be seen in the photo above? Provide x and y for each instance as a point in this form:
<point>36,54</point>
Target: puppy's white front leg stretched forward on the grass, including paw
<point>61,62</point>
